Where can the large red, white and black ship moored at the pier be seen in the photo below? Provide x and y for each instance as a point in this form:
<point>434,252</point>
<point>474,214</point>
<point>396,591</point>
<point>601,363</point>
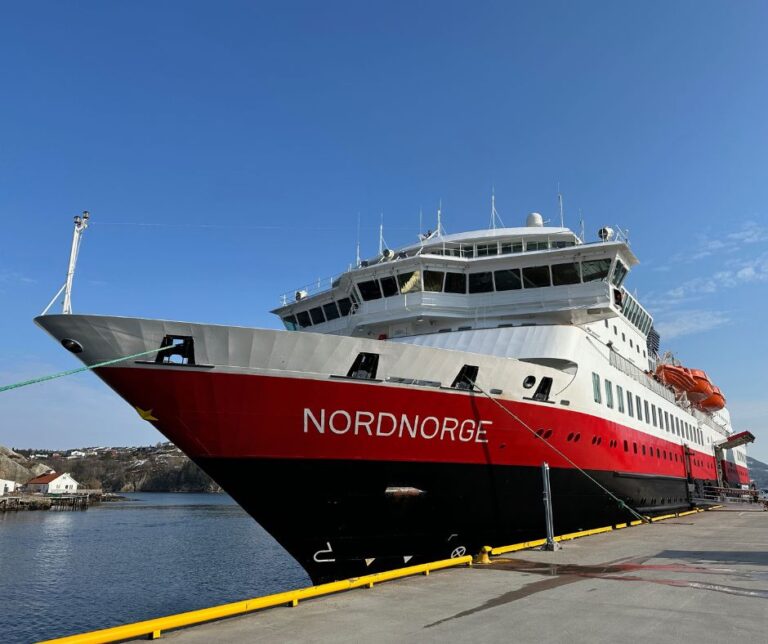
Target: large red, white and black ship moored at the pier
<point>404,411</point>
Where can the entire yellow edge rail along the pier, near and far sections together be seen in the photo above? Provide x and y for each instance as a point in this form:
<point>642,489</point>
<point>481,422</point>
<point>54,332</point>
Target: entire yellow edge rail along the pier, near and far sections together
<point>153,628</point>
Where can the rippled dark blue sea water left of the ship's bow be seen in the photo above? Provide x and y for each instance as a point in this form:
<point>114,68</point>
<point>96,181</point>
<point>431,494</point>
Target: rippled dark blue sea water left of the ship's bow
<point>65,572</point>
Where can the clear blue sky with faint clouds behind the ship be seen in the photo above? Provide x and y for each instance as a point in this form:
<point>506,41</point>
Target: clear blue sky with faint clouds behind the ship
<point>226,149</point>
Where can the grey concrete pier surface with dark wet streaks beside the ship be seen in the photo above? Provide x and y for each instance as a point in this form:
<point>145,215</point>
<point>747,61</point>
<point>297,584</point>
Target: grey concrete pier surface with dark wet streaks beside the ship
<point>701,578</point>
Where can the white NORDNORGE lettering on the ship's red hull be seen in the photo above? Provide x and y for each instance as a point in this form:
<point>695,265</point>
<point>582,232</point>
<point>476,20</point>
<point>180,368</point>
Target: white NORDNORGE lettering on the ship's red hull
<point>385,424</point>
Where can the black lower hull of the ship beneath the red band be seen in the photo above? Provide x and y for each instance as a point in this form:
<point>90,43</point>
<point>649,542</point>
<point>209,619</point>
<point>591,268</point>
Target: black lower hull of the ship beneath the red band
<point>342,519</point>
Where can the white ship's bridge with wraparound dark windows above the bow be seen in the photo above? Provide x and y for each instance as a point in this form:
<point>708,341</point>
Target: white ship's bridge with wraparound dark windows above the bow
<point>476,279</point>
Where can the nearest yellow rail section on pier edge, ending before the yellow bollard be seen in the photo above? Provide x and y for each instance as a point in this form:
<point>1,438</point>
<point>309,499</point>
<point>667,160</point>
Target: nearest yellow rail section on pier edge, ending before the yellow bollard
<point>153,628</point>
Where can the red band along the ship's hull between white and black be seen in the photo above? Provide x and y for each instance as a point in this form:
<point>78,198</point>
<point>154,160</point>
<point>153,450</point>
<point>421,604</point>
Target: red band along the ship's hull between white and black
<point>223,415</point>
